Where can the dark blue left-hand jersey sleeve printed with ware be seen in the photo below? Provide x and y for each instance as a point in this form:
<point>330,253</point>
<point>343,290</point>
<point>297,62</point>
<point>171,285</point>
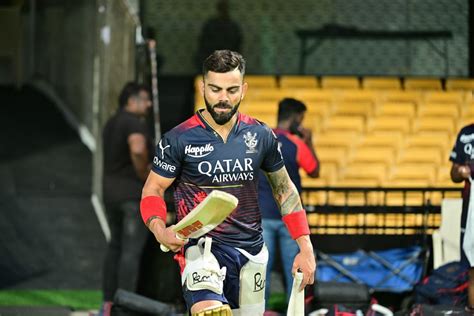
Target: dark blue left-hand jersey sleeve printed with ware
<point>167,159</point>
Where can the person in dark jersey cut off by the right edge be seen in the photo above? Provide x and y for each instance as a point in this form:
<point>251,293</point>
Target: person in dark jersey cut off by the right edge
<point>462,157</point>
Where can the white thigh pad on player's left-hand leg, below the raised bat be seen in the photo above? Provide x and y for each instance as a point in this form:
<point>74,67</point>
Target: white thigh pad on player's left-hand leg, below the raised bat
<point>202,270</point>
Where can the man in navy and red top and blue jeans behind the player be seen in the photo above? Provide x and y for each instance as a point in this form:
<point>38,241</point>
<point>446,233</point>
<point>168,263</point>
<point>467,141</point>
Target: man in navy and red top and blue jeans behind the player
<point>297,149</point>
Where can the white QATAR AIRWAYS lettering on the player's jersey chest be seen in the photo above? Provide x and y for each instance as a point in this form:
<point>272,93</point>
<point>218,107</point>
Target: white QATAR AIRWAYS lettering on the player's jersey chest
<point>227,170</point>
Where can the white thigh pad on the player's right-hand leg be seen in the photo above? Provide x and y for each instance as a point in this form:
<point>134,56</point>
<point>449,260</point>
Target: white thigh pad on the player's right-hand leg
<point>252,283</point>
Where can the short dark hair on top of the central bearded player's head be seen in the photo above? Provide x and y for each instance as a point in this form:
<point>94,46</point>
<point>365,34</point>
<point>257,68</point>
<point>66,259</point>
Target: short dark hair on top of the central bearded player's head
<point>223,61</point>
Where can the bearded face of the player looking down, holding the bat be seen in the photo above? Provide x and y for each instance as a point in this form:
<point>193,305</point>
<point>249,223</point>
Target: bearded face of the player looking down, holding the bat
<point>223,93</point>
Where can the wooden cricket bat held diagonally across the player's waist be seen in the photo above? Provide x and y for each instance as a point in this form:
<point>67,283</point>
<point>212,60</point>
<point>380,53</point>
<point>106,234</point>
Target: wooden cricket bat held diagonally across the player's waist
<point>212,211</point>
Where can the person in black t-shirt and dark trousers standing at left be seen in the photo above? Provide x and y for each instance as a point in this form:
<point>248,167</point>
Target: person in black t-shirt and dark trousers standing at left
<point>128,151</point>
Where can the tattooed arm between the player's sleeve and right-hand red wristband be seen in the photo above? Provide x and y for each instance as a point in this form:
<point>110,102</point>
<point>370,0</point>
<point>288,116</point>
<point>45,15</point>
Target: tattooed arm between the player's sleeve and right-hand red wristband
<point>284,191</point>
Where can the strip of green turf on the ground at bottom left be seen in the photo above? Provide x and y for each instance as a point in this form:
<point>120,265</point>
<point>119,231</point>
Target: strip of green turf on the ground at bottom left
<point>75,299</point>
